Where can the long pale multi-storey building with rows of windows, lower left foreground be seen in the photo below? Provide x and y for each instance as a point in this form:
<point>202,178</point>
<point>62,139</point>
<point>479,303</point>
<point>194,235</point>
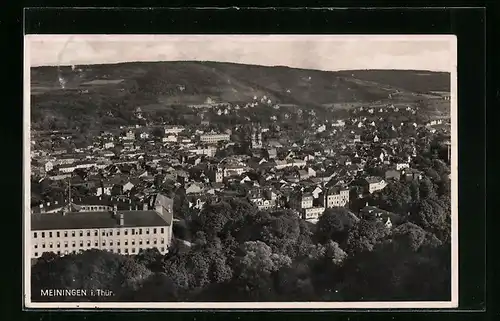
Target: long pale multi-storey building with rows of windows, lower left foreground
<point>123,232</point>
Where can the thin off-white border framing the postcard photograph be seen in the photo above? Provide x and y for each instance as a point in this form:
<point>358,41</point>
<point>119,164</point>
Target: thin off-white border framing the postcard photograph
<point>240,305</point>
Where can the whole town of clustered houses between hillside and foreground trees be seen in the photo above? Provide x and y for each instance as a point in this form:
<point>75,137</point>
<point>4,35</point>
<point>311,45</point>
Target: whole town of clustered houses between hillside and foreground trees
<point>155,176</point>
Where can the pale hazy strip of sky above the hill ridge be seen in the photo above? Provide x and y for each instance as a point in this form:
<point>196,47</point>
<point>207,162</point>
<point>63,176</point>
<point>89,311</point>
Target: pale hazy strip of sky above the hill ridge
<point>322,52</point>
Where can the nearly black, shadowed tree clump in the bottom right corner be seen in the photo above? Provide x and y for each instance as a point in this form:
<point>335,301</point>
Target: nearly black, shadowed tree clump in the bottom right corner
<point>392,272</point>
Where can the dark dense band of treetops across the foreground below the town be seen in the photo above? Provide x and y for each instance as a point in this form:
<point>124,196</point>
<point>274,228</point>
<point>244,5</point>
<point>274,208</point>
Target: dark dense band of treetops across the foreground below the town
<point>239,253</point>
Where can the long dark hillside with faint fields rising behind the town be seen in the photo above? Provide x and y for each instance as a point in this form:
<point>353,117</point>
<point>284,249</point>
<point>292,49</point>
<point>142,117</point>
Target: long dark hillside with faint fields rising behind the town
<point>68,96</point>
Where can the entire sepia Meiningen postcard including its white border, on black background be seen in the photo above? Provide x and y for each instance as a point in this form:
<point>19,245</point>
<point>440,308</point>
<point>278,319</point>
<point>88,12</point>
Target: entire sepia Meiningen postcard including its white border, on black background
<point>240,171</point>
